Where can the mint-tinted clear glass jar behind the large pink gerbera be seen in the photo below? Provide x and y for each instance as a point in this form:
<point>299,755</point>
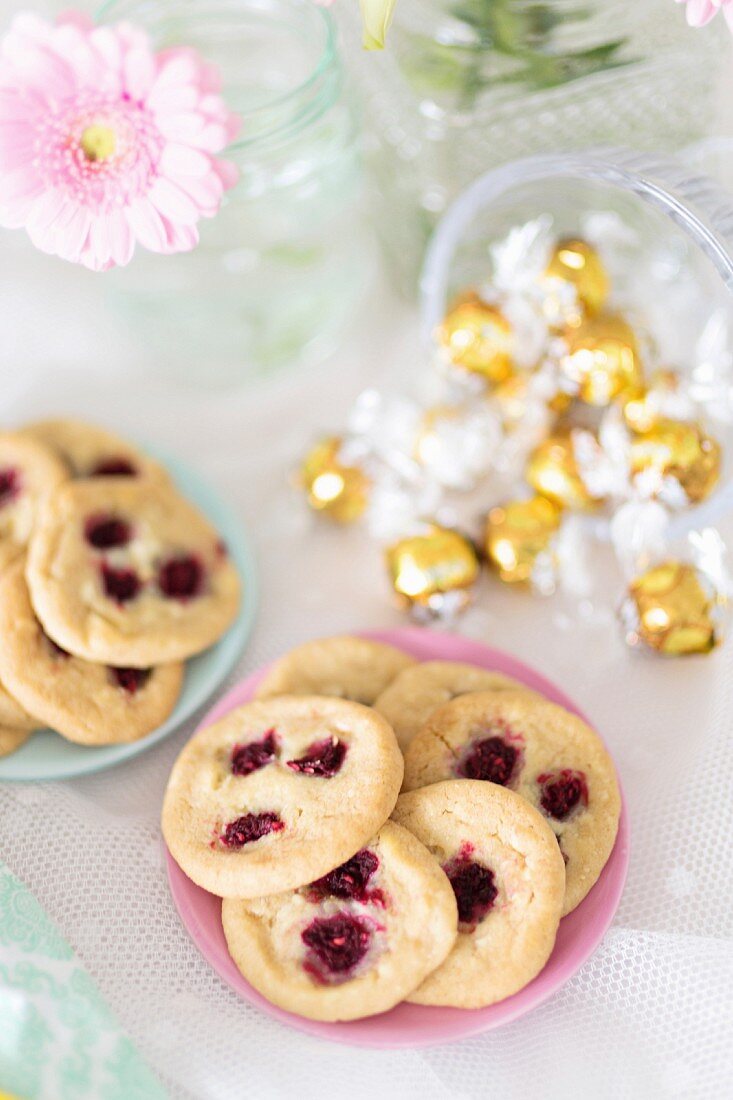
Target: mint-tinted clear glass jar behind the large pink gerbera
<point>279,271</point>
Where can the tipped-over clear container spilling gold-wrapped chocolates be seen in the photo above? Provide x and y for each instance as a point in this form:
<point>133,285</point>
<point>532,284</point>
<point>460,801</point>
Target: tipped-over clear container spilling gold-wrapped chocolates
<point>681,244</point>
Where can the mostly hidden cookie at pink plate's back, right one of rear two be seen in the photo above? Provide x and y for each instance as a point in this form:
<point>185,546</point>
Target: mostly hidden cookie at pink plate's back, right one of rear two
<point>420,690</point>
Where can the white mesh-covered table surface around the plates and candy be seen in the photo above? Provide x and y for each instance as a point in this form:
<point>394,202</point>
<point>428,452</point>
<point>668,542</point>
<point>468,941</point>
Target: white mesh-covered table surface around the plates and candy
<point>650,1016</point>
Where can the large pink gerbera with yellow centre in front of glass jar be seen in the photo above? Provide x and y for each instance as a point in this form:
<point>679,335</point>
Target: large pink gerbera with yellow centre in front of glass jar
<point>105,144</point>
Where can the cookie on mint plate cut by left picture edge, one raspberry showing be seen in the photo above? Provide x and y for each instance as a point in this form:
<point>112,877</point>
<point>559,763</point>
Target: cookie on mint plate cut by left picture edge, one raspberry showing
<point>29,472</point>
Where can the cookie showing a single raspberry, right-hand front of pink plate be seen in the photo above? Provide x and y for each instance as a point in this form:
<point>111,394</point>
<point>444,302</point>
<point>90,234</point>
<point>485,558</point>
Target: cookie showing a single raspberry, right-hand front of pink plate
<point>508,875</point>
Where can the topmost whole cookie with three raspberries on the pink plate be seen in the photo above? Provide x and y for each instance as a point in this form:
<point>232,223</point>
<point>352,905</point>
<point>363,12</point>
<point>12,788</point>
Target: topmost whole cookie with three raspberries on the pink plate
<point>279,793</point>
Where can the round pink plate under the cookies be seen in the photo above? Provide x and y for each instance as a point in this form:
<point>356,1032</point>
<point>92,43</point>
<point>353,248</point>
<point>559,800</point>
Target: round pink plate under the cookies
<point>412,1026</point>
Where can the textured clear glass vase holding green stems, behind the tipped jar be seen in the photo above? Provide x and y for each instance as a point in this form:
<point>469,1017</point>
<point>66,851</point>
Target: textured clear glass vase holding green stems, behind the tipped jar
<point>467,85</point>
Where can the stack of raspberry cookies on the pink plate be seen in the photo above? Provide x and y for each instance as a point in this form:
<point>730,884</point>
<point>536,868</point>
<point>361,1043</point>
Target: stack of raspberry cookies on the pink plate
<point>342,896</point>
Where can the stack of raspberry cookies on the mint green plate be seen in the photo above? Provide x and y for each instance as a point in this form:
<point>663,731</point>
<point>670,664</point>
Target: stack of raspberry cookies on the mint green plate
<point>110,581</point>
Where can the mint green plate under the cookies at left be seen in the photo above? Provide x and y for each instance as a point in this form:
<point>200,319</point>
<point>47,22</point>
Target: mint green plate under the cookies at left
<point>48,756</point>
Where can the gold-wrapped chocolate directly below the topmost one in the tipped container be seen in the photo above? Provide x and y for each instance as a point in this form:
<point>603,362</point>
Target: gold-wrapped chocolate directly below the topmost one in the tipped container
<point>604,361</point>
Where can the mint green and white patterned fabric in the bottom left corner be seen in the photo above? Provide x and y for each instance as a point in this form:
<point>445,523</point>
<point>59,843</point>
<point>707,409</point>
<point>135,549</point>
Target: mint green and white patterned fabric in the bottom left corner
<point>59,1040</point>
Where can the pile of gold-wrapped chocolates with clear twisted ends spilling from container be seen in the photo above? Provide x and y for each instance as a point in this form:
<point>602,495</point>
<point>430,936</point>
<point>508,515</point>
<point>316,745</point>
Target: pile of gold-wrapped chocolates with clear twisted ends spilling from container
<point>549,419</point>
